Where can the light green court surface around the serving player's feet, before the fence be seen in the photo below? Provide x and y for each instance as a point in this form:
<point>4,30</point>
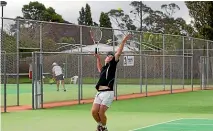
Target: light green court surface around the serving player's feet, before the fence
<point>122,116</point>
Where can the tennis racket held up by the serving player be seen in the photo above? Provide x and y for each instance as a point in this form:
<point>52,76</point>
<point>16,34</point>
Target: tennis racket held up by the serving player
<point>96,35</point>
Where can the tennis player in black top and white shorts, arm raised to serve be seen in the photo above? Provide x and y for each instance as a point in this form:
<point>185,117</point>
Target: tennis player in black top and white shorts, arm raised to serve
<point>105,94</point>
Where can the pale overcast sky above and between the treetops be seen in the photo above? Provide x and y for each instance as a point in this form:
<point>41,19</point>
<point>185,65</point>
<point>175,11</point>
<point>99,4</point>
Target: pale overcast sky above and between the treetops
<point>70,9</point>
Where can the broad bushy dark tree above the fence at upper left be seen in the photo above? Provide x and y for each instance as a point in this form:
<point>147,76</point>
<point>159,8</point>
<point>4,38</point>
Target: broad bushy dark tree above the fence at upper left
<point>37,11</point>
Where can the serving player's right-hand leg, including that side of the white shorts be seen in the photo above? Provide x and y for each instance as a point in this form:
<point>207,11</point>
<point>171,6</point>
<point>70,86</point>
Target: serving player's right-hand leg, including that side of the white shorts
<point>105,104</point>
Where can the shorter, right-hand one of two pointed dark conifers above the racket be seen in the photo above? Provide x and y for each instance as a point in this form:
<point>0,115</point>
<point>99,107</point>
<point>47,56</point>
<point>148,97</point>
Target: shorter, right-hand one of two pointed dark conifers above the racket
<point>105,20</point>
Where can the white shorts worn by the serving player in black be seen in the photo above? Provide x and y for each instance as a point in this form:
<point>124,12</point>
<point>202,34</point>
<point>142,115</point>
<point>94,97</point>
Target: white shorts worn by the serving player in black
<point>104,98</point>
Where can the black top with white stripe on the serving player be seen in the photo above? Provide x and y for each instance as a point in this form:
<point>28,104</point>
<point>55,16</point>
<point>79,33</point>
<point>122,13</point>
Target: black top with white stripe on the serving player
<point>107,75</point>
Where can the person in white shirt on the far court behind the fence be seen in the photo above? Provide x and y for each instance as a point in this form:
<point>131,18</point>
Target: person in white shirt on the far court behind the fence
<point>58,75</point>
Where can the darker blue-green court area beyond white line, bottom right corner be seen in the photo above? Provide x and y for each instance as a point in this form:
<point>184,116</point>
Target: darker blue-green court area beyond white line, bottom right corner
<point>181,125</point>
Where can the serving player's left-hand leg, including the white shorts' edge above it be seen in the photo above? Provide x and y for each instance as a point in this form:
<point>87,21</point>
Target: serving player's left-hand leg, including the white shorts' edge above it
<point>95,111</point>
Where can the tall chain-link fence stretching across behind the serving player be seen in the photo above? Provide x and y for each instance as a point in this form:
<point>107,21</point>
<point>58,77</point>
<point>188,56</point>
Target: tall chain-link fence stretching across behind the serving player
<point>155,56</point>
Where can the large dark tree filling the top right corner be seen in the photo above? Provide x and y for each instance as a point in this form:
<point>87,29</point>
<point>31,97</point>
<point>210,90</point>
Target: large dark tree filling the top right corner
<point>201,12</point>
